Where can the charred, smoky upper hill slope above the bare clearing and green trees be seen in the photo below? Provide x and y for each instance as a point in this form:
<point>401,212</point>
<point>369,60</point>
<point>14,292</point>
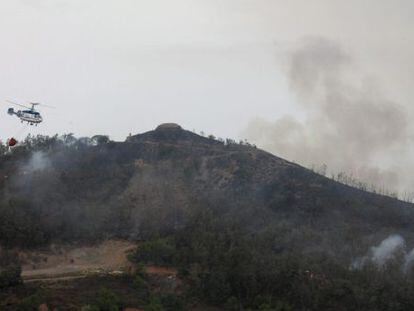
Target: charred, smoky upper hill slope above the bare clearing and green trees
<point>78,190</point>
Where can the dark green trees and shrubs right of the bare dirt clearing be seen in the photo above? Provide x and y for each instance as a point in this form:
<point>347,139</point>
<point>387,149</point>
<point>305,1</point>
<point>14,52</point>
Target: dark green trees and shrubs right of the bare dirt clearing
<point>235,269</point>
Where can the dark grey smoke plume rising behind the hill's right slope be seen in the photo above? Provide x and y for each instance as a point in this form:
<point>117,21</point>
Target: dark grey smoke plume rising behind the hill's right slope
<point>349,123</point>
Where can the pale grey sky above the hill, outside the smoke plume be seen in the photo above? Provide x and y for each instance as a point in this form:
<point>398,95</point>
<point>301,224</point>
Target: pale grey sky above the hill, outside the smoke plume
<point>120,66</point>
